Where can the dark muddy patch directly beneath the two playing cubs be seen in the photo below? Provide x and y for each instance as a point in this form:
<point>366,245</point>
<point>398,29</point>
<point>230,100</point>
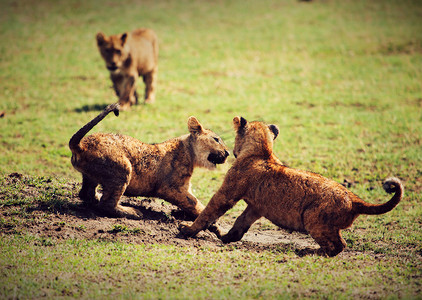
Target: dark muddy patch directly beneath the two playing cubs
<point>159,225</point>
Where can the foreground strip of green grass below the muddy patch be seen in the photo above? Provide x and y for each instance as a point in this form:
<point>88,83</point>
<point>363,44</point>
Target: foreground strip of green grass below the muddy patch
<point>93,269</point>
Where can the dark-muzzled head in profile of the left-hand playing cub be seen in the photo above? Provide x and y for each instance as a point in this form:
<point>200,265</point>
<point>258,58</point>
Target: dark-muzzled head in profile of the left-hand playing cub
<point>209,149</point>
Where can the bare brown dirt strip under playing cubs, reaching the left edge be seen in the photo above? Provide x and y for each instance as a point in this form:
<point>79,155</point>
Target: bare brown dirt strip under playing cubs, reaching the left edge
<point>159,223</point>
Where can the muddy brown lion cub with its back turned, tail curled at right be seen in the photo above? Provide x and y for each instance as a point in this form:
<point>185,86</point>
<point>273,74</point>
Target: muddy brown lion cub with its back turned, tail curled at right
<point>290,198</point>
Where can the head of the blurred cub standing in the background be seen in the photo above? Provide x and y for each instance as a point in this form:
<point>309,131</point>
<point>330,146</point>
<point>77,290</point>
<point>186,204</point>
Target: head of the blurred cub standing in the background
<point>113,49</point>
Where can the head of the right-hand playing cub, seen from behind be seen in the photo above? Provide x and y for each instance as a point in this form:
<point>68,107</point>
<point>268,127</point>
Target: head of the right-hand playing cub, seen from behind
<point>253,138</point>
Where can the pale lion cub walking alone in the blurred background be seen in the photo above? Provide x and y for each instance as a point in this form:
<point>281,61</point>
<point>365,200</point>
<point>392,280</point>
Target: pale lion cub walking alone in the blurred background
<point>128,56</point>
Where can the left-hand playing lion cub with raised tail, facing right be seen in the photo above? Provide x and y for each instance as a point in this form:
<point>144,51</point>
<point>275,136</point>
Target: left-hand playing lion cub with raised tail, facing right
<point>124,165</point>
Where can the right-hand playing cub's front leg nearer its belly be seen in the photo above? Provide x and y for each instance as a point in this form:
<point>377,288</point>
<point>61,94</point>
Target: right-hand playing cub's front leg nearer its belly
<point>242,225</point>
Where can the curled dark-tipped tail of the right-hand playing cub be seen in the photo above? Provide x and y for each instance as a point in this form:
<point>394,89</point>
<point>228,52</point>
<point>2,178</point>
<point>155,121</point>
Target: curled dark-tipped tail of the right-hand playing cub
<point>390,185</point>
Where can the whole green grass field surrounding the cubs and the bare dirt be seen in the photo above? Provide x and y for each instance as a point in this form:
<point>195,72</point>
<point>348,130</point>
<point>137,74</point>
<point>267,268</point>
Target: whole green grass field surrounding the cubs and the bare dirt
<point>342,80</point>
